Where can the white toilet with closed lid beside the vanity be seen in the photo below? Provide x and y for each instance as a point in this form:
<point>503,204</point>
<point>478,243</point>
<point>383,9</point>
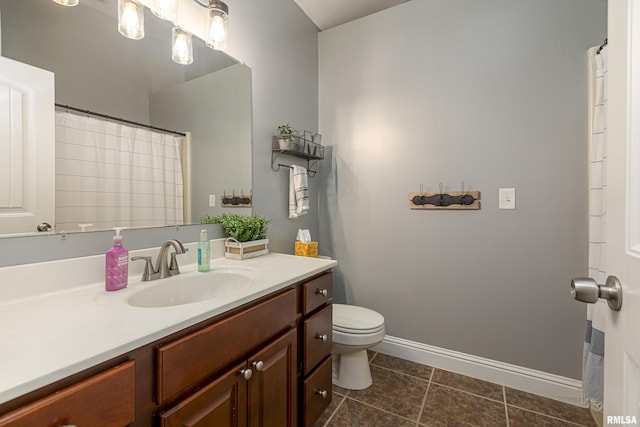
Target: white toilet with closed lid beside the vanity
<point>355,329</point>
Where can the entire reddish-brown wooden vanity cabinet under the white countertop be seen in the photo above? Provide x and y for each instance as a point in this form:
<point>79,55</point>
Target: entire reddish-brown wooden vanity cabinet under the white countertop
<point>198,376</point>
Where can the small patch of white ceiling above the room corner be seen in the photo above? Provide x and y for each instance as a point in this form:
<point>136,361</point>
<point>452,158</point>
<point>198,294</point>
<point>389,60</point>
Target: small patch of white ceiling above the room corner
<point>330,13</point>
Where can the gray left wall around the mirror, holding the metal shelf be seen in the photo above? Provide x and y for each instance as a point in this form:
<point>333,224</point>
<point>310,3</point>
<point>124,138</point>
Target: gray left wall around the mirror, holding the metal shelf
<point>279,43</point>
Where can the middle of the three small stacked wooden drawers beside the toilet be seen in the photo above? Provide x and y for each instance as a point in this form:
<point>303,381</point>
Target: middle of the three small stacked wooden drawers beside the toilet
<point>317,338</point>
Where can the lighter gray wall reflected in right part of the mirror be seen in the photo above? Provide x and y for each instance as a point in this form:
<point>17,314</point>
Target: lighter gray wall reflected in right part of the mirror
<point>220,127</point>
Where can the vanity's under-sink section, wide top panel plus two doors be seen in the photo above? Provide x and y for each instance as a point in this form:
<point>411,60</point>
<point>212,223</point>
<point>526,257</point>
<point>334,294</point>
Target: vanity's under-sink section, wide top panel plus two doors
<point>260,391</point>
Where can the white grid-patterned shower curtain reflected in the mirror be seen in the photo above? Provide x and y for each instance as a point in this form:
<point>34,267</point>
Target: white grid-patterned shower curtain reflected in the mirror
<point>114,175</point>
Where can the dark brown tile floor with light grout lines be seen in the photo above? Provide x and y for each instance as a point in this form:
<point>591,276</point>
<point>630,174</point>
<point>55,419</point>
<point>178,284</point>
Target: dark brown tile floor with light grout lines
<point>408,394</point>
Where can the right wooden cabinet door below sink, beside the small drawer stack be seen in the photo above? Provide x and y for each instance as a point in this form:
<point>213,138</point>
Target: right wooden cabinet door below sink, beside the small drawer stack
<point>272,389</point>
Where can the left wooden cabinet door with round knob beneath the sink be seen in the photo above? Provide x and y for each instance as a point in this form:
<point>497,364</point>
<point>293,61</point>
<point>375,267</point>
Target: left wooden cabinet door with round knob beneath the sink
<point>221,403</point>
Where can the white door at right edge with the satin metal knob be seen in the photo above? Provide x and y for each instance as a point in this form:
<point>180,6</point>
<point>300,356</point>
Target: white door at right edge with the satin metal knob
<point>622,333</point>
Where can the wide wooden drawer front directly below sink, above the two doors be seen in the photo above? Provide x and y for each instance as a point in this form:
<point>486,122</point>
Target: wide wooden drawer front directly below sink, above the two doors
<point>185,361</point>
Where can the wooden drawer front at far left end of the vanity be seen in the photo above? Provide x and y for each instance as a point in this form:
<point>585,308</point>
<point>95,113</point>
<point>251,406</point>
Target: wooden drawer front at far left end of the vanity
<point>106,399</point>
